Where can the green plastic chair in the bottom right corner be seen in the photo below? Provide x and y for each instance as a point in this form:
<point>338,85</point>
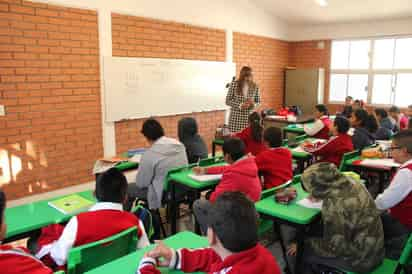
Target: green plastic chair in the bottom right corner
<point>395,267</point>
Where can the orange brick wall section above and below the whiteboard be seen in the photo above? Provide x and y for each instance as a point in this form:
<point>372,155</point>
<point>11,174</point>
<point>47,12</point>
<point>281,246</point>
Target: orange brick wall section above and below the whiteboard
<point>143,37</point>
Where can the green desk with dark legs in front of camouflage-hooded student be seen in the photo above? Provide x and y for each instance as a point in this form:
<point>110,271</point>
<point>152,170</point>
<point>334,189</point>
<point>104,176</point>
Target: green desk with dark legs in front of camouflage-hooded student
<point>292,215</point>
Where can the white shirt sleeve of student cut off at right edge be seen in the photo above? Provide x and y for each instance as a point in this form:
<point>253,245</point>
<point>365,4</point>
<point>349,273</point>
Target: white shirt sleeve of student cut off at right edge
<point>398,190</point>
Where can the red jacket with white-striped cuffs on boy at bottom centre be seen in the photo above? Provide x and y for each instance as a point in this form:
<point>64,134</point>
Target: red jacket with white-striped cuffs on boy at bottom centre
<point>254,260</point>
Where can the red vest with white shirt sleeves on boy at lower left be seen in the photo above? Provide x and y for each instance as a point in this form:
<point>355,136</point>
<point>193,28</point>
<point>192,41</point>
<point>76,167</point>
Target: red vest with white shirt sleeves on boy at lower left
<point>101,221</point>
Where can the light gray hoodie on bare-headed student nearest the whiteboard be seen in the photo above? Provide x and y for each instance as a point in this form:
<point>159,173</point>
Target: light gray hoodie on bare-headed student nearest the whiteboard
<point>165,154</point>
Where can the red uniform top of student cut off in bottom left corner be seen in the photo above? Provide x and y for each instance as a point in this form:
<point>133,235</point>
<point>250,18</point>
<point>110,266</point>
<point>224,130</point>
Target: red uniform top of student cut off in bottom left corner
<point>20,261</point>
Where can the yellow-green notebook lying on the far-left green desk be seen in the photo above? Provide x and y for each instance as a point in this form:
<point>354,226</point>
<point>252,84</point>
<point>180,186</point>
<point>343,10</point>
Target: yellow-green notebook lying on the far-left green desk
<point>71,205</point>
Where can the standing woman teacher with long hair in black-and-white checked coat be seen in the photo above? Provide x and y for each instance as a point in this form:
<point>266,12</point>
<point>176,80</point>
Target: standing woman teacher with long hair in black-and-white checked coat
<point>243,97</point>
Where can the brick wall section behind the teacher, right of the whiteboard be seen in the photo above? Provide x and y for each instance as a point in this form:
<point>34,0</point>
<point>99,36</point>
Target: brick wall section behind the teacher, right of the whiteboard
<point>268,58</point>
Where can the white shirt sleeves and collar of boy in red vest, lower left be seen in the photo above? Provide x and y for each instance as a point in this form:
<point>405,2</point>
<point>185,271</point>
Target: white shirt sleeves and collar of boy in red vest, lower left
<point>59,250</point>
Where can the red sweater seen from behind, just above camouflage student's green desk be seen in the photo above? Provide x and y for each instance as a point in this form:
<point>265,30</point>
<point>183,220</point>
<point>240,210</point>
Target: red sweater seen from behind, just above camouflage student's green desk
<point>275,165</point>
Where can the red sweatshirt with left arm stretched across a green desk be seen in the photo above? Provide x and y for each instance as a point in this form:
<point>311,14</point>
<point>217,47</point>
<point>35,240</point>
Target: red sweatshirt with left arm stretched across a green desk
<point>241,176</point>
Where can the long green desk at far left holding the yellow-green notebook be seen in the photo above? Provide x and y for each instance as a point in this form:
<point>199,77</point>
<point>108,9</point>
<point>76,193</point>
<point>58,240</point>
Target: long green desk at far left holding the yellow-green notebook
<point>25,219</point>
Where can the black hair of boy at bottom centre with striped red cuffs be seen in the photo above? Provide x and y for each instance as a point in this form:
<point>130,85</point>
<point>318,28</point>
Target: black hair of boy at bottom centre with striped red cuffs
<point>234,220</point>
